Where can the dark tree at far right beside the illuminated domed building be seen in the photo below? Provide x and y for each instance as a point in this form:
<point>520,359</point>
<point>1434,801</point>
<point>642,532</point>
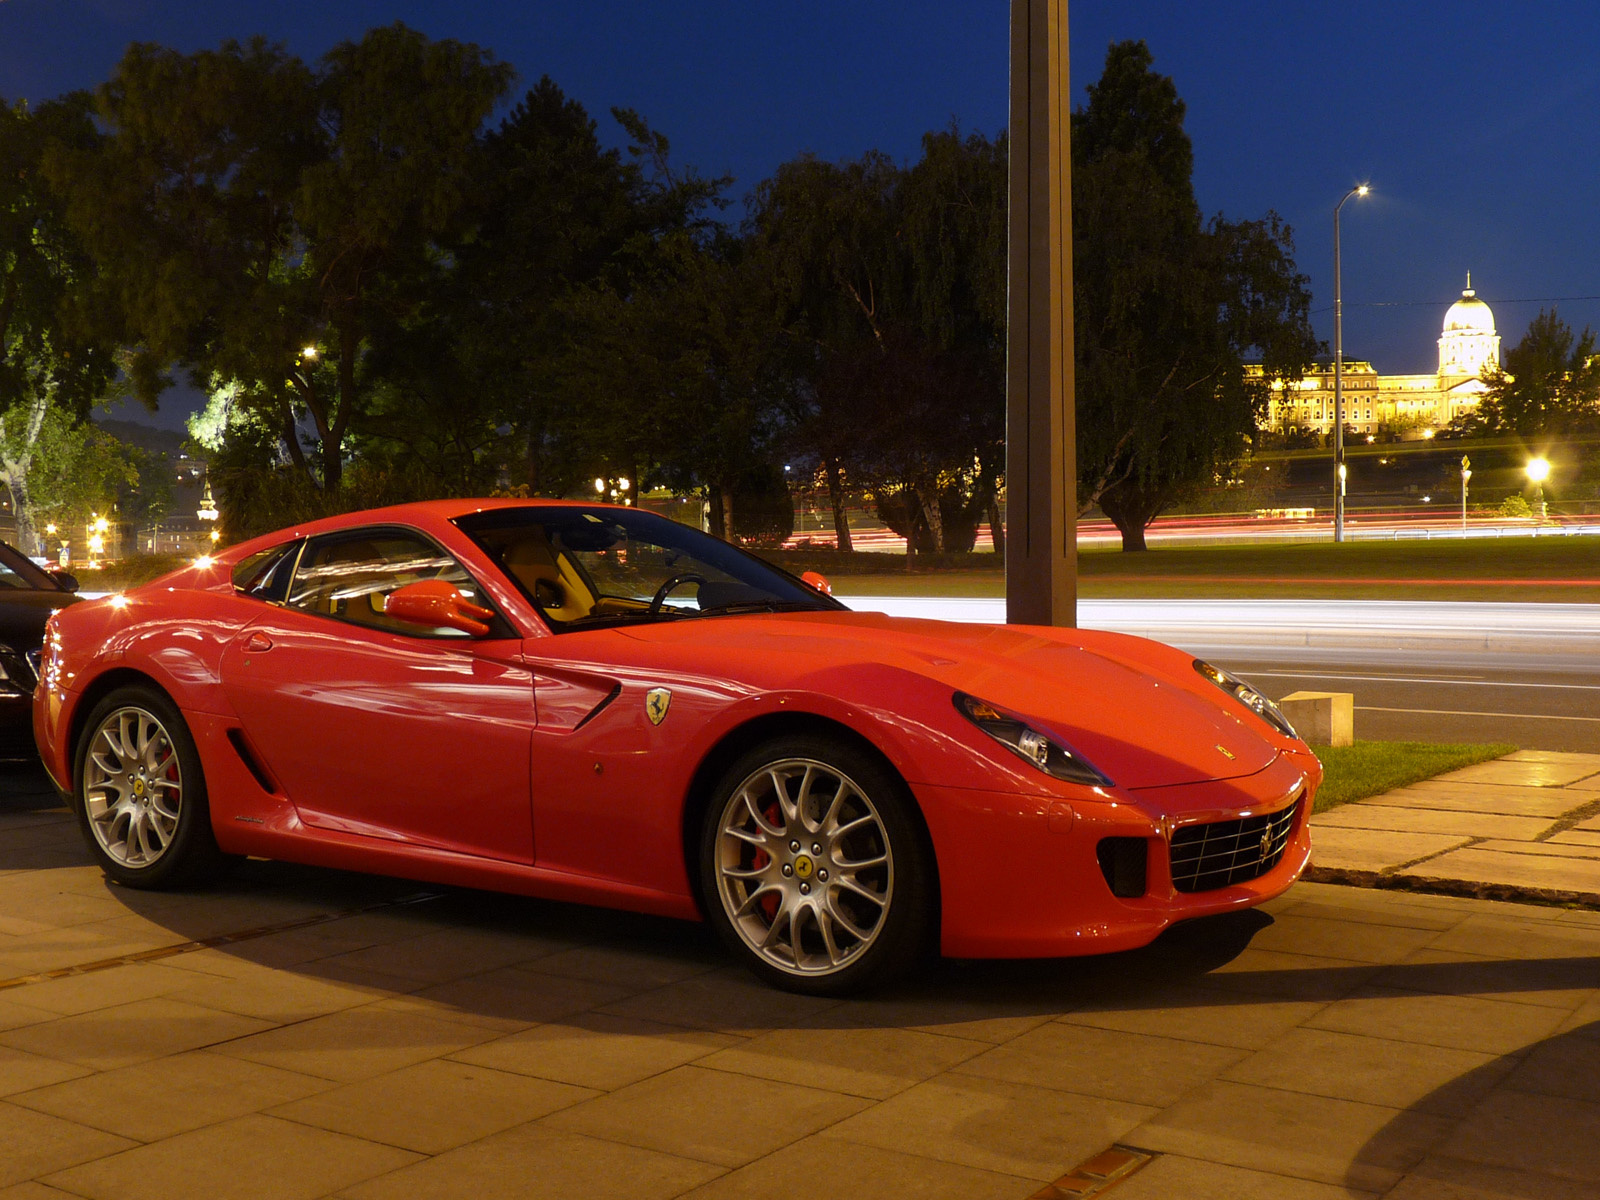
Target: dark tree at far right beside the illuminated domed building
<point>1551,385</point>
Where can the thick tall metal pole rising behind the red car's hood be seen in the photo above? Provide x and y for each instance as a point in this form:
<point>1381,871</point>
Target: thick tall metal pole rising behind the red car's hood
<point>1041,554</point>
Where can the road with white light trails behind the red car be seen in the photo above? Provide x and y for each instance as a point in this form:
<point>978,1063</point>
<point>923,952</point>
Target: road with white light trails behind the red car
<point>1425,671</point>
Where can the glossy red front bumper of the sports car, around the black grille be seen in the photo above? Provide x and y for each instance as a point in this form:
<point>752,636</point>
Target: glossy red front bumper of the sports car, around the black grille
<point>1022,878</point>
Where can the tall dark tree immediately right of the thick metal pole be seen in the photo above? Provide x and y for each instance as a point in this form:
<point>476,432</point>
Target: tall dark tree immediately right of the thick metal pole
<point>1167,308</point>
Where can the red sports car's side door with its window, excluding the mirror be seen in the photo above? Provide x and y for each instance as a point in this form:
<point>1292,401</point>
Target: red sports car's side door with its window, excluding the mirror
<point>377,727</point>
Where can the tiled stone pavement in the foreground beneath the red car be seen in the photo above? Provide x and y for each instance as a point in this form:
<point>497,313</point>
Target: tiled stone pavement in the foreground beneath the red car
<point>303,1034</point>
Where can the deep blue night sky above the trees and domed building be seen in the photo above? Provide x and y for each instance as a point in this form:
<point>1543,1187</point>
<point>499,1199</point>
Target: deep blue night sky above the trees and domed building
<point>1478,126</point>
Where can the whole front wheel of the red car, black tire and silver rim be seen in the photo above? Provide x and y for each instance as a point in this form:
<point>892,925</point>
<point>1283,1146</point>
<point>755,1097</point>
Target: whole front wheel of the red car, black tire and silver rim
<point>857,924</point>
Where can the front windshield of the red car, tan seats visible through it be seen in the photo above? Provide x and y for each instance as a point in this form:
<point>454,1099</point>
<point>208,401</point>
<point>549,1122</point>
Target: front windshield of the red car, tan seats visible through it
<point>586,567</point>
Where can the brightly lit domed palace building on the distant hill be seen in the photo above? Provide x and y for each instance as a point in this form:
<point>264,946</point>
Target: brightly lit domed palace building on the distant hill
<point>1412,406</point>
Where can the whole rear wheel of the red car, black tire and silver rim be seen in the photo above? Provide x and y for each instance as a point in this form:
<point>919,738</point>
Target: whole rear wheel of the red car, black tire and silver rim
<point>137,833</point>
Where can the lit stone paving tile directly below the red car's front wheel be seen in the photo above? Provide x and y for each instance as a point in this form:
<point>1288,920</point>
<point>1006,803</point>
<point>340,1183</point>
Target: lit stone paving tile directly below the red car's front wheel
<point>873,1063</point>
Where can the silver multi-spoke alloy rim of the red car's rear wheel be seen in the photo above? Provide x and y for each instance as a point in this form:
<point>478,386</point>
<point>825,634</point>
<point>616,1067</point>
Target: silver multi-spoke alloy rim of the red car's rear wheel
<point>134,788</point>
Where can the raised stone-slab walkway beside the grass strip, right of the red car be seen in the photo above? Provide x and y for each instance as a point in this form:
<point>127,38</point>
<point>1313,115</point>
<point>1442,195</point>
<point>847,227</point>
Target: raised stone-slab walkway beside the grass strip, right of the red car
<point>1526,826</point>
